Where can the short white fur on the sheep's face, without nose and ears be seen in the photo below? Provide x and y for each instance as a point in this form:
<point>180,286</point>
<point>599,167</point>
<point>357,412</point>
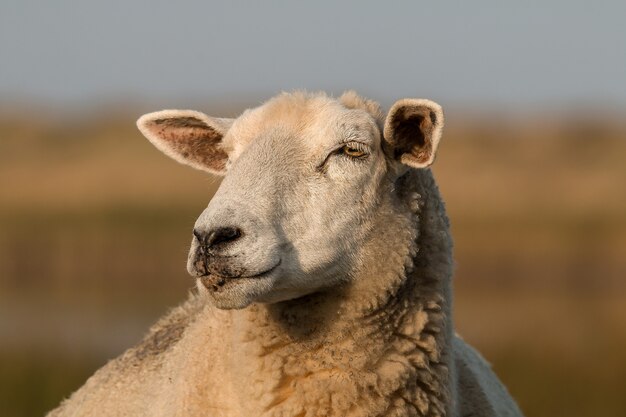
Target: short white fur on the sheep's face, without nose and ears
<point>302,204</point>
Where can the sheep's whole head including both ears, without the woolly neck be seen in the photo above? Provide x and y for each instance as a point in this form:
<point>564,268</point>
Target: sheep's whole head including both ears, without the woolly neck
<point>306,181</point>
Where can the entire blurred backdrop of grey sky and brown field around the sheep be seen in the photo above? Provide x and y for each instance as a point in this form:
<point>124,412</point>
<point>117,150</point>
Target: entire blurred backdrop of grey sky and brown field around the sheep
<point>95,223</point>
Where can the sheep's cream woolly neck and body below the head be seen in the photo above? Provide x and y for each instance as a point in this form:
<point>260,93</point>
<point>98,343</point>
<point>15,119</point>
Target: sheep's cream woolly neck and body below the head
<point>381,346</point>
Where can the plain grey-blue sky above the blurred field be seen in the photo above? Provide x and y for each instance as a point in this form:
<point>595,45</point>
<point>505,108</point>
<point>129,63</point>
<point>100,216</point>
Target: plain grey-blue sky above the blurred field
<point>471,53</point>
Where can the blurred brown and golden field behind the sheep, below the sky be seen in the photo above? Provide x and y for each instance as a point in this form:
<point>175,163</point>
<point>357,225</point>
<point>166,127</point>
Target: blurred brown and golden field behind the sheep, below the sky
<point>95,225</point>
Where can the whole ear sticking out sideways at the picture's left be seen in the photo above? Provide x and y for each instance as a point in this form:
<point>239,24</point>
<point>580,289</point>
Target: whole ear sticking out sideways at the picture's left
<point>190,137</point>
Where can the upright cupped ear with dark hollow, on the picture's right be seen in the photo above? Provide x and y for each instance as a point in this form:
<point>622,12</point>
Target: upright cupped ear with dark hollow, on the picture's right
<point>412,131</point>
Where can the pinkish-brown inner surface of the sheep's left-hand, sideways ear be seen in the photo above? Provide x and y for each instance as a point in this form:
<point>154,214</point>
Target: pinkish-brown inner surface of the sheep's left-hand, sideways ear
<point>190,138</point>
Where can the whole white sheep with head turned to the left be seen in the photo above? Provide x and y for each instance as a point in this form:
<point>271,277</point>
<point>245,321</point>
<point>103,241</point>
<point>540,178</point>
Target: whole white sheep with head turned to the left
<point>323,265</point>
